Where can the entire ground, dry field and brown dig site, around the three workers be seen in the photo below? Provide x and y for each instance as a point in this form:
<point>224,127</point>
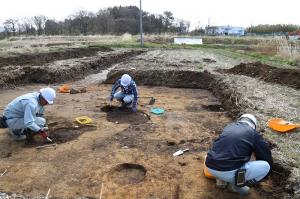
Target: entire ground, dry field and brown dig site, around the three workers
<point>129,155</point>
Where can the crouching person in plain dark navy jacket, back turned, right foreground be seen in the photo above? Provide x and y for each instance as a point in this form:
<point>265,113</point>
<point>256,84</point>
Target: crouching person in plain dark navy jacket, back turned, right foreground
<point>230,156</point>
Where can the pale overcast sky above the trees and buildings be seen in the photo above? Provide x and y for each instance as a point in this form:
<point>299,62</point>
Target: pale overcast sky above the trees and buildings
<point>216,12</point>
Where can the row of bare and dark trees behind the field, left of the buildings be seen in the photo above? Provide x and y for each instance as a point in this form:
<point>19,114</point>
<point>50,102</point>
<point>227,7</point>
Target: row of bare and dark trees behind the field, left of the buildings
<point>113,20</point>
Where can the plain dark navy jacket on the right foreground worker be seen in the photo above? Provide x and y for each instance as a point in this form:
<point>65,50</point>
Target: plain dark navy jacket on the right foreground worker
<point>234,147</point>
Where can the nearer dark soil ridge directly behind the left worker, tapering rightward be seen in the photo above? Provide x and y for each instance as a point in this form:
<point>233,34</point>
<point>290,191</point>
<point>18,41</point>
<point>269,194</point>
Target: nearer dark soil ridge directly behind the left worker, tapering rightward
<point>61,71</point>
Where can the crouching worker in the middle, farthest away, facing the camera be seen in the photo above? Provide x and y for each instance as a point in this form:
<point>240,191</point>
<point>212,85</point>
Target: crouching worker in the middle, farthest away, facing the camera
<point>128,94</point>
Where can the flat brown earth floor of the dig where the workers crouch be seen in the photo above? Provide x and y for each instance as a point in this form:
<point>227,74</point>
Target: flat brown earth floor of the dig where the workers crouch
<point>133,159</point>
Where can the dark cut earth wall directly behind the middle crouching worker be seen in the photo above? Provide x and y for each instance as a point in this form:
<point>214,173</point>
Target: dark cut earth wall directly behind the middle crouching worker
<point>169,78</point>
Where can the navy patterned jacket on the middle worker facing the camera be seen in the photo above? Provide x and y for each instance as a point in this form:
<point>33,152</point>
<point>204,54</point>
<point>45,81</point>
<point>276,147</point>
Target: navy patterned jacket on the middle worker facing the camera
<point>129,90</point>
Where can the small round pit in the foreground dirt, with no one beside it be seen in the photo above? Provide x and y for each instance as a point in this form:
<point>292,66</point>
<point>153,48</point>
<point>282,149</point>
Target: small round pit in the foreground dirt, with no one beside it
<point>128,173</point>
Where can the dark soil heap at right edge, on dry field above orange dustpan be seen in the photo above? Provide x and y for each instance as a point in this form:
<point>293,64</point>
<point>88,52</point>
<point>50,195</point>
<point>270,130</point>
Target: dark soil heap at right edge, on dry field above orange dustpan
<point>288,77</point>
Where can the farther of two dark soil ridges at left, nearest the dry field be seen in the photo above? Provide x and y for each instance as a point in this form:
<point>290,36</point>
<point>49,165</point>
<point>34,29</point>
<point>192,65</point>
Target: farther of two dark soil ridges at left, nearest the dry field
<point>43,58</point>
